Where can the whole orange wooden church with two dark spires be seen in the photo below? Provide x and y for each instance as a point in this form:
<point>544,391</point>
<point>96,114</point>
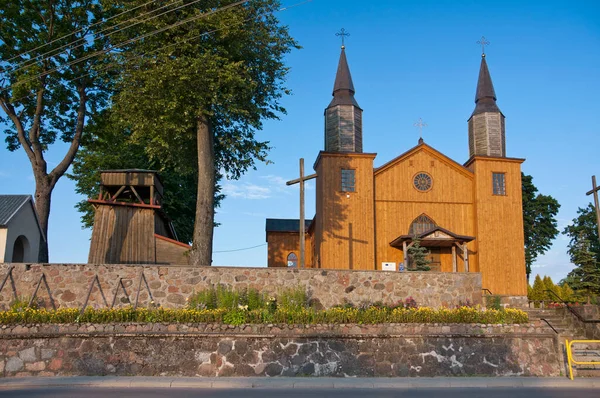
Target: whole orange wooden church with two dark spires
<point>467,215</point>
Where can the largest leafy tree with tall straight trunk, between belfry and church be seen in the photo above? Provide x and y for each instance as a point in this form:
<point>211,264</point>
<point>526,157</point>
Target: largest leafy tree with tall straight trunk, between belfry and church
<point>211,81</point>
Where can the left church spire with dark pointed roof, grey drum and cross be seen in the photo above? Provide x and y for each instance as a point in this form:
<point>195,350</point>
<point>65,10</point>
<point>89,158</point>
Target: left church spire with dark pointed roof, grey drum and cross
<point>343,116</point>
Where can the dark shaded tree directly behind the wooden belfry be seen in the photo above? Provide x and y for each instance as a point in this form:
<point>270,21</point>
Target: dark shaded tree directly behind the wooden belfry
<point>108,145</point>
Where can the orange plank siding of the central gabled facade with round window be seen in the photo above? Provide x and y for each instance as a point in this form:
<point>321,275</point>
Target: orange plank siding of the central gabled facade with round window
<point>449,203</point>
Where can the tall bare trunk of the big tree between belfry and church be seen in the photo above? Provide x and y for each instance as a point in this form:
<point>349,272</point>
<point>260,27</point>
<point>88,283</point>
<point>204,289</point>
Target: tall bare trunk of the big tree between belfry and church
<point>201,253</point>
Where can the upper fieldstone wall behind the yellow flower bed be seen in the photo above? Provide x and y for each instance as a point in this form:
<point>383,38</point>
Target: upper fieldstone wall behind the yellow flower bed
<point>171,285</point>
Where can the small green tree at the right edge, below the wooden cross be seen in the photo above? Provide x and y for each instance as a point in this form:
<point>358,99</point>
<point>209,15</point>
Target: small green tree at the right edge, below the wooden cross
<point>585,277</point>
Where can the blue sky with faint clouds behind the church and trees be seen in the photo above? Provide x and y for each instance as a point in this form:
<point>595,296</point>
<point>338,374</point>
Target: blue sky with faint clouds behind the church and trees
<point>409,59</point>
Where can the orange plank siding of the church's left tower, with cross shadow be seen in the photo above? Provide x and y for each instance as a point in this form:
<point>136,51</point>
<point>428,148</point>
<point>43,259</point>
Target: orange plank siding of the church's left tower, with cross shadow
<point>344,233</point>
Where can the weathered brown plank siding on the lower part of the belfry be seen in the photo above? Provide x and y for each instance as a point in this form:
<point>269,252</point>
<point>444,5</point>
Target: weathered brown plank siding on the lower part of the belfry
<point>121,236</point>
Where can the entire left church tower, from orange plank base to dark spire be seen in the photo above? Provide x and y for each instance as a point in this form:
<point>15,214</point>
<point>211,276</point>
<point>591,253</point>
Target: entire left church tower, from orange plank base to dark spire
<point>344,222</point>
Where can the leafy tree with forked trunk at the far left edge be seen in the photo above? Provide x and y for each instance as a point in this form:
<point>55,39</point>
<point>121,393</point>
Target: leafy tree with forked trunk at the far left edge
<point>48,90</point>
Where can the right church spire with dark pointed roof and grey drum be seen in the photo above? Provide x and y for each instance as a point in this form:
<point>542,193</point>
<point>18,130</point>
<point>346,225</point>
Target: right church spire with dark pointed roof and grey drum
<point>486,124</point>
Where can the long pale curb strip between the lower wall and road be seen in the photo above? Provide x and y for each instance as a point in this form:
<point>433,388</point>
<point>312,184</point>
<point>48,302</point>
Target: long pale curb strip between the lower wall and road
<point>298,383</point>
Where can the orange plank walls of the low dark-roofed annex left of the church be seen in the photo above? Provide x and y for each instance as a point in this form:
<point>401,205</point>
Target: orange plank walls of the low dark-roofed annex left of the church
<point>281,244</point>
